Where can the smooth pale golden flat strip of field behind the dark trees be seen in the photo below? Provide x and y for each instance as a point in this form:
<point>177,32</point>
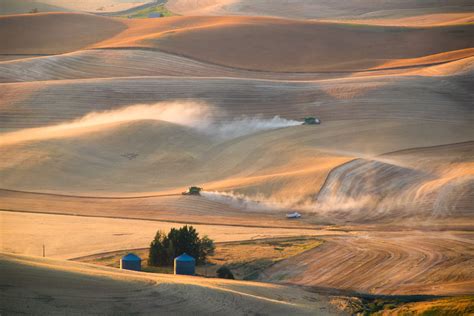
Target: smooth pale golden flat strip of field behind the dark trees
<point>67,237</point>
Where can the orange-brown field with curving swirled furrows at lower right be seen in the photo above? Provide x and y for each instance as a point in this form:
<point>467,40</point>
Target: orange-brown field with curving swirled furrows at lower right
<point>386,263</point>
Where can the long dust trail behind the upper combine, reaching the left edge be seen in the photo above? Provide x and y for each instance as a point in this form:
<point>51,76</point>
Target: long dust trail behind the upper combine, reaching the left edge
<point>191,114</point>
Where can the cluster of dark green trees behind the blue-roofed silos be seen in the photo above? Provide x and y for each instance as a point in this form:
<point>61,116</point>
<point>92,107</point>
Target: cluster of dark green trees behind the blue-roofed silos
<point>165,247</point>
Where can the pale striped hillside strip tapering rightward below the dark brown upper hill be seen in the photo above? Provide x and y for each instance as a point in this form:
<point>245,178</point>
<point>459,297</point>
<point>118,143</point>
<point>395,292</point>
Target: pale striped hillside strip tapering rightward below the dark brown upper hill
<point>104,63</point>
